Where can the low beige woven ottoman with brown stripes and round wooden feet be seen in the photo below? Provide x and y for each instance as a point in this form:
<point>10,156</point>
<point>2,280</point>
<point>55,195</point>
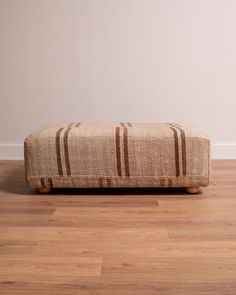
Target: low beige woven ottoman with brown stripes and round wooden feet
<point>91,155</point>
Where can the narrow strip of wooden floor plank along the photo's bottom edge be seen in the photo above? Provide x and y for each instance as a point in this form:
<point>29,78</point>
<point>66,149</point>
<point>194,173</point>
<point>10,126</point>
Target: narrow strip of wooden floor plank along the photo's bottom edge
<point>120,288</point>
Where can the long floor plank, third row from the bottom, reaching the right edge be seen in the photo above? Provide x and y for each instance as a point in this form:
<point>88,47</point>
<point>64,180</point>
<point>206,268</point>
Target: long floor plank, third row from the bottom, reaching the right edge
<point>136,247</point>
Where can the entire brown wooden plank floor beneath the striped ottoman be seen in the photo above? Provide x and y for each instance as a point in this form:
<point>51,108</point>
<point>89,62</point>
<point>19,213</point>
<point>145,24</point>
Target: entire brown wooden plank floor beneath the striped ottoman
<point>118,242</point>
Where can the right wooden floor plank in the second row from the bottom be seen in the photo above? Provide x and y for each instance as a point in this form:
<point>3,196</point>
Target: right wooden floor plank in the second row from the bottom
<point>185,270</point>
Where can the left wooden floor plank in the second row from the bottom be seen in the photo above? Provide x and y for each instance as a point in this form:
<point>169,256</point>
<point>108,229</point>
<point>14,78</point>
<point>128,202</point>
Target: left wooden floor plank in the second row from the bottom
<point>48,269</point>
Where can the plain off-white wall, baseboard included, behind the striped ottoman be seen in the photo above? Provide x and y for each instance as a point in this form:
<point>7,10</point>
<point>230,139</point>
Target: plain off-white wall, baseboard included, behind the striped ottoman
<point>118,60</point>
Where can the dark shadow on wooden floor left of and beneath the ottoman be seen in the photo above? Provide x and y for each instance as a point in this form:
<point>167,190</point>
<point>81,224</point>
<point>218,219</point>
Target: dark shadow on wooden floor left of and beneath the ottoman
<point>13,181</point>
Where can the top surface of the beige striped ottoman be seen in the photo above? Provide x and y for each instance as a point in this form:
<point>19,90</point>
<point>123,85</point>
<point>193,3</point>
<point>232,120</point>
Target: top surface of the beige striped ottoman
<point>93,130</point>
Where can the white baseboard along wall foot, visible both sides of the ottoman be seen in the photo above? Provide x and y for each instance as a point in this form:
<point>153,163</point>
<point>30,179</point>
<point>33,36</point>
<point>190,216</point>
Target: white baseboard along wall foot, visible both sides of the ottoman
<point>15,151</point>
